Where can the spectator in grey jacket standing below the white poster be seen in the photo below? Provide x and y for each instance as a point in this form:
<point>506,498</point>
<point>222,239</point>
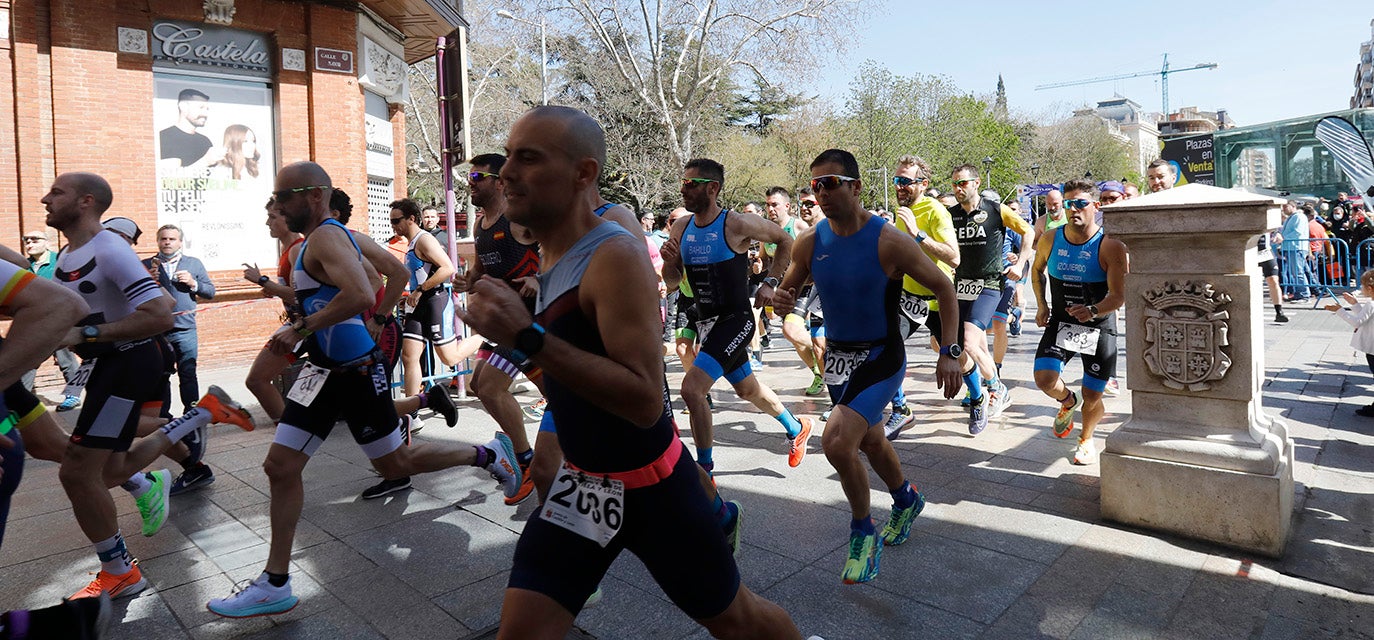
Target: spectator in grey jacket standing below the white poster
<point>185,278</point>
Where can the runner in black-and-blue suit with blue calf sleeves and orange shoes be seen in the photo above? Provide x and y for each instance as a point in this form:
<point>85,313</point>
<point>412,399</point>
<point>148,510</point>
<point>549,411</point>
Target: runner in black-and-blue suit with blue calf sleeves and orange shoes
<point>712,248</point>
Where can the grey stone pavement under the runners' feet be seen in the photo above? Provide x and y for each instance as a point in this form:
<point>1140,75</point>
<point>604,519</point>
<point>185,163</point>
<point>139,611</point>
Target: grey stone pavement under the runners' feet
<point>1011,545</point>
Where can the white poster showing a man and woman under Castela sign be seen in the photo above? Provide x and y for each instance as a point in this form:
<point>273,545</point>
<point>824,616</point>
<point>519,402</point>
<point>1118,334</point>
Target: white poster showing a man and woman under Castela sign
<point>215,167</point>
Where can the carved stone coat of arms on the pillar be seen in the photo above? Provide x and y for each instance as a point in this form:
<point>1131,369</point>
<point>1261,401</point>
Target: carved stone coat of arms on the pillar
<point>1185,334</point>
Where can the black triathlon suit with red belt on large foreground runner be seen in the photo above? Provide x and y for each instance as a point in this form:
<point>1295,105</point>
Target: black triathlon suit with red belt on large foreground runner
<point>667,520</point>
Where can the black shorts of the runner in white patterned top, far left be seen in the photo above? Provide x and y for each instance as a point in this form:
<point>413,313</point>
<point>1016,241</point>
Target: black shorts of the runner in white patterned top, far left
<point>119,389</point>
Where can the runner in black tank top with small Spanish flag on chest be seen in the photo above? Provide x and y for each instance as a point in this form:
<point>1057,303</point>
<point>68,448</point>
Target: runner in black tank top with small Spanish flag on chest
<point>509,253</point>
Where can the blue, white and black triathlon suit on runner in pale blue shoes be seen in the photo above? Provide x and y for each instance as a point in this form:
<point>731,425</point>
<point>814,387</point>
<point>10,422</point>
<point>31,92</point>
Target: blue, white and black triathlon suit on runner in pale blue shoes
<point>357,384</point>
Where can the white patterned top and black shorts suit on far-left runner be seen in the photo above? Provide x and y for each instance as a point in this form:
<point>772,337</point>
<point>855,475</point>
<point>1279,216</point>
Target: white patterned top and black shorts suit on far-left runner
<point>112,281</point>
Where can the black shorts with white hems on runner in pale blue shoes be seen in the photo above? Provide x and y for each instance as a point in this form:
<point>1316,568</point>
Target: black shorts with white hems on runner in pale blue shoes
<point>359,395</point>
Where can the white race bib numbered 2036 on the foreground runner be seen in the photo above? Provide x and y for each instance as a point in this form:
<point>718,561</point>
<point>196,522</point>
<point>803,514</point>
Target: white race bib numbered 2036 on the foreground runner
<point>587,506</point>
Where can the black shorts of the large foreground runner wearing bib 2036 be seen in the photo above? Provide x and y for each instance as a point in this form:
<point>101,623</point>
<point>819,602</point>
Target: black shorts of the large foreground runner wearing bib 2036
<point>670,527</point>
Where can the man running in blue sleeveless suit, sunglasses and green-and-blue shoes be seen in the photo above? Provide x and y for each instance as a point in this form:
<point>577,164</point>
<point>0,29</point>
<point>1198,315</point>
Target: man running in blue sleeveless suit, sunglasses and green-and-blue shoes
<point>858,262</point>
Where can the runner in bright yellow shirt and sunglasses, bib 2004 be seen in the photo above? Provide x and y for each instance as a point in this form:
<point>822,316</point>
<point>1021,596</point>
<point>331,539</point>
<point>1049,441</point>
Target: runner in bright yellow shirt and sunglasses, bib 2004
<point>928,223</point>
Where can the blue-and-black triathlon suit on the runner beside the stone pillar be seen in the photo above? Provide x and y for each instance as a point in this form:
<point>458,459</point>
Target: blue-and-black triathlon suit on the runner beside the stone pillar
<point>1078,278</point>
